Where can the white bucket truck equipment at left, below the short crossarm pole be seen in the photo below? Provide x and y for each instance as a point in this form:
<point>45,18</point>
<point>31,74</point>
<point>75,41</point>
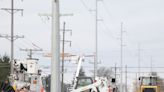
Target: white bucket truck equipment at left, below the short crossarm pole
<point>27,75</point>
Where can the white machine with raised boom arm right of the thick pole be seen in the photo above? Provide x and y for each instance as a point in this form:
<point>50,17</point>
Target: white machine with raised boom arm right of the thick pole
<point>86,84</point>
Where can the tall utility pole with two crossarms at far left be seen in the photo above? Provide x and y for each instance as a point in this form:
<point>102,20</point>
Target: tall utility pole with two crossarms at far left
<point>12,37</point>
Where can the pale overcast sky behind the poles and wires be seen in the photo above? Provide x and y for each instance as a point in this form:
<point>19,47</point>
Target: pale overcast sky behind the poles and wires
<point>142,22</point>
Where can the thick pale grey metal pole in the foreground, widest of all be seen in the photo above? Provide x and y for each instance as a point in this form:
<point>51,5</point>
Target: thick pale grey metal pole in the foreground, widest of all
<point>55,48</point>
